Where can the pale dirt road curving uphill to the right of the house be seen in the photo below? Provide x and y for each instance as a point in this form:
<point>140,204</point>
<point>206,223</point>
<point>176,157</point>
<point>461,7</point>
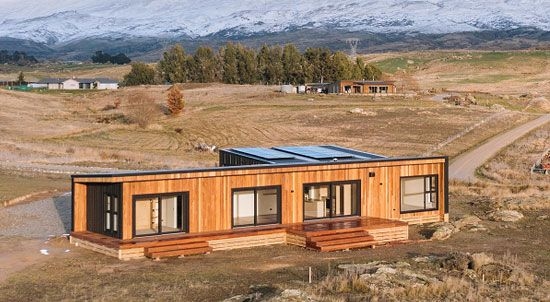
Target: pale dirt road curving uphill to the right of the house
<point>464,166</point>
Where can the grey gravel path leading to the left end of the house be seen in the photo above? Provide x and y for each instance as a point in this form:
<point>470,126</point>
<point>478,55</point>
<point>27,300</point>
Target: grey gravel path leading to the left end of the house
<point>38,219</point>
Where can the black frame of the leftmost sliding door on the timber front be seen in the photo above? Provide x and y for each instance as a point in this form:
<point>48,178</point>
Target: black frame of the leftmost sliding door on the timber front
<point>185,212</point>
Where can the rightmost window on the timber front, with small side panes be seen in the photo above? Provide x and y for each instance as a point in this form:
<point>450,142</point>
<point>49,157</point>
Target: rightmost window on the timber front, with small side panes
<point>419,193</point>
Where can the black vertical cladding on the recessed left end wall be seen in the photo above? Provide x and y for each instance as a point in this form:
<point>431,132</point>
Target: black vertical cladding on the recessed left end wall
<point>95,205</point>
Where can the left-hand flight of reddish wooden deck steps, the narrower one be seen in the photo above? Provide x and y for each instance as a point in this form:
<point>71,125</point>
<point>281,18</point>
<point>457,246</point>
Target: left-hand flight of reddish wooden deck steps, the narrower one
<point>177,249</point>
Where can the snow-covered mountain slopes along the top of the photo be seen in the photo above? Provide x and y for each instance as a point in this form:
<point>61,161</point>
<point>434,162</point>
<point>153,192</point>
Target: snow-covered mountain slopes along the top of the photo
<point>58,21</point>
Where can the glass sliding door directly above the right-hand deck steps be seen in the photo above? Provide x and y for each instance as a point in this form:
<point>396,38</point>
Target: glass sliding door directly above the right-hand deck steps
<point>329,200</point>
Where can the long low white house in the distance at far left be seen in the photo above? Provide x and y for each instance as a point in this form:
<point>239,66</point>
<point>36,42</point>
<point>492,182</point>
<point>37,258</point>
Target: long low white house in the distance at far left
<point>75,84</point>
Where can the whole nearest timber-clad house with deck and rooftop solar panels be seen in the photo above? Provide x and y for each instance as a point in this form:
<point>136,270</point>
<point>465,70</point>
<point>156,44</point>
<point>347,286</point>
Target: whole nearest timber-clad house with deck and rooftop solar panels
<point>320,197</point>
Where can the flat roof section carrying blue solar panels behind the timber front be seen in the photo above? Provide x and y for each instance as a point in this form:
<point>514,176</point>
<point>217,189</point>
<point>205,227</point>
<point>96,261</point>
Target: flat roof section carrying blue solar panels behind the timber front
<point>302,154</point>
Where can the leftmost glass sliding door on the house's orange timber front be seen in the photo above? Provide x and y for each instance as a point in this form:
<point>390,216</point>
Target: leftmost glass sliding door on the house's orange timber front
<point>161,214</point>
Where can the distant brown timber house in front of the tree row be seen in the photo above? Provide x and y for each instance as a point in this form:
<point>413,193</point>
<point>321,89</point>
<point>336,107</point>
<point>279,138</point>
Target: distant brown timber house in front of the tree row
<point>362,87</point>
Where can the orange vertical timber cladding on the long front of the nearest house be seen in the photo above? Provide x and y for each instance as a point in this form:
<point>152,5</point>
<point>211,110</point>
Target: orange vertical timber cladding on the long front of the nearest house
<point>210,191</point>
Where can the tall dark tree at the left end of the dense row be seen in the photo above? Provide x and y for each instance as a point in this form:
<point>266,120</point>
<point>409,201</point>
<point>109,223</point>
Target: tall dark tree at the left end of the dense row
<point>173,65</point>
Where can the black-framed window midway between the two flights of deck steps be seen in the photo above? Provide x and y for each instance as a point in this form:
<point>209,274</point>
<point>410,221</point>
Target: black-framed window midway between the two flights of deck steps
<point>256,206</point>
